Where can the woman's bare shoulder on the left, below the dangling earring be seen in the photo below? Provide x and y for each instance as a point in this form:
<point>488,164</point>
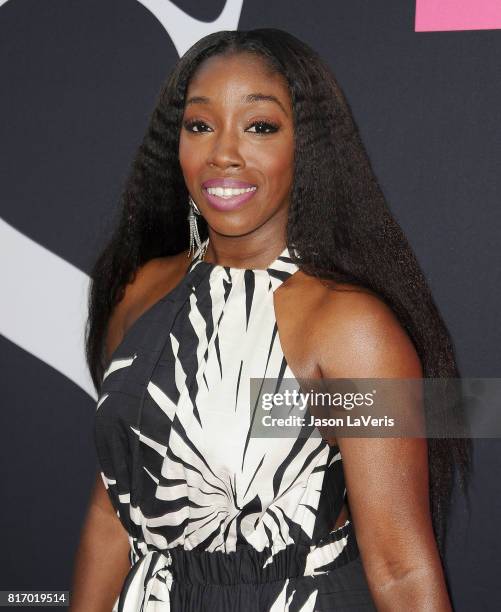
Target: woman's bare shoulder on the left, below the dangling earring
<point>150,282</point>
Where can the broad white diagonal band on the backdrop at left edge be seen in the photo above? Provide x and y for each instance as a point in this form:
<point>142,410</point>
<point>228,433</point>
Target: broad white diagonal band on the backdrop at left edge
<point>44,305</point>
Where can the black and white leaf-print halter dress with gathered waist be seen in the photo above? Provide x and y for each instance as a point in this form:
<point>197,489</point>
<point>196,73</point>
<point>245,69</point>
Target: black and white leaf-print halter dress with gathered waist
<point>219,520</point>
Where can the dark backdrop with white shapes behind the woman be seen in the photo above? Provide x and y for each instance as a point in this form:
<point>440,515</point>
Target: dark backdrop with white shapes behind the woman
<point>78,81</point>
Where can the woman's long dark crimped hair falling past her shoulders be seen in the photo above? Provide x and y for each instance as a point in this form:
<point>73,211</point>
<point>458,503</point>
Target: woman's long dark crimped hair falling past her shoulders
<point>339,223</point>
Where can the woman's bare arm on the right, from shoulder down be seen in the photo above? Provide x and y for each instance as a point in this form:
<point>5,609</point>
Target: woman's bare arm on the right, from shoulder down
<point>386,478</point>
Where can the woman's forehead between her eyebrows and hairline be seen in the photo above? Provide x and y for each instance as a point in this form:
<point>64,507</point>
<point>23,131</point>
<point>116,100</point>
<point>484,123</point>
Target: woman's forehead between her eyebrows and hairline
<point>221,75</point>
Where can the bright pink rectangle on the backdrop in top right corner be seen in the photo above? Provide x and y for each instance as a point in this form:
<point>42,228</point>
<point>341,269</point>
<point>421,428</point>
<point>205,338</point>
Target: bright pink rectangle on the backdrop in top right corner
<point>443,15</point>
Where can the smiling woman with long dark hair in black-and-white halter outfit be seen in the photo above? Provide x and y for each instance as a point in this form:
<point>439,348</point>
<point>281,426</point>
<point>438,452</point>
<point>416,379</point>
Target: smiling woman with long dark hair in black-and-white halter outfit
<point>299,271</point>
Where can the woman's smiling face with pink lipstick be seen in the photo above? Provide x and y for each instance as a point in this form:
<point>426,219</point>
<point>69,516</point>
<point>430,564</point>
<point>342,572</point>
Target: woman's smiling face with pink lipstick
<point>231,138</point>
